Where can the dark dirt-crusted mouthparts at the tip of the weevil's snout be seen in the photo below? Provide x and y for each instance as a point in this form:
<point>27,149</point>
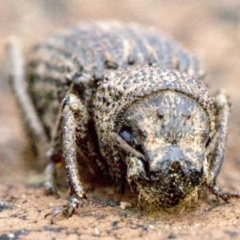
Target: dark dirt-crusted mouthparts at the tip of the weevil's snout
<point>171,184</point>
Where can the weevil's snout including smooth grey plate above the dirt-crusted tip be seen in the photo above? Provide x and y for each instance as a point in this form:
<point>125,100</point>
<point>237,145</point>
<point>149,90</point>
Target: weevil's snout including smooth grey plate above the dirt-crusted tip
<point>172,176</point>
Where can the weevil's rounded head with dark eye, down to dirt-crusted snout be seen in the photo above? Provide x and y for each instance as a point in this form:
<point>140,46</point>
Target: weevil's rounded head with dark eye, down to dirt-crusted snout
<point>171,131</point>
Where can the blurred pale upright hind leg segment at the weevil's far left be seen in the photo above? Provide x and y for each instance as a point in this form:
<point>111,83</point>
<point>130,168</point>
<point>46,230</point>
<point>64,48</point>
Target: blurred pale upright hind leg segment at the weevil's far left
<point>19,86</point>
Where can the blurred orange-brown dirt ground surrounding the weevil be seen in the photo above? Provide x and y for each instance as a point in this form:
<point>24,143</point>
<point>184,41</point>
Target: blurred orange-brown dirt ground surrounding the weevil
<point>209,28</point>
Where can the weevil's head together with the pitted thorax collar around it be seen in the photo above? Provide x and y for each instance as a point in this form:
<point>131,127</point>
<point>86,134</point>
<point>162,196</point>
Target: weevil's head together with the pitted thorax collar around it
<point>165,116</point>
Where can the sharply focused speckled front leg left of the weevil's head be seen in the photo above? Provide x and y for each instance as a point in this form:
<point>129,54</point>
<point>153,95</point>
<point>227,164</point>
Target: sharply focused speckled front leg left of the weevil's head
<point>71,115</point>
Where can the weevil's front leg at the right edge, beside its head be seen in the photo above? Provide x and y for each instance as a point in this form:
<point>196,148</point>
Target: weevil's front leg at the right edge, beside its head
<point>216,157</point>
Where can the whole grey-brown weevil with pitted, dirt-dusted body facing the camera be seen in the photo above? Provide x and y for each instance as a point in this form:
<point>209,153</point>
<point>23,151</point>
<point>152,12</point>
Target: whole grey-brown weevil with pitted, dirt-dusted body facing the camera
<point>128,101</point>
